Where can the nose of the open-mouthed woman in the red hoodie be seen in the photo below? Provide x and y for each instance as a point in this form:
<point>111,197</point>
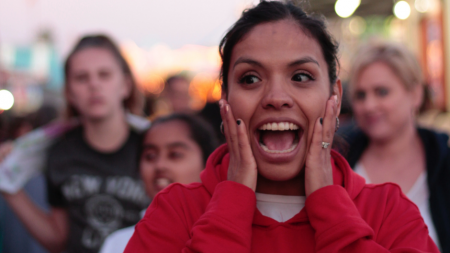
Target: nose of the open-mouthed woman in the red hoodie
<point>277,97</point>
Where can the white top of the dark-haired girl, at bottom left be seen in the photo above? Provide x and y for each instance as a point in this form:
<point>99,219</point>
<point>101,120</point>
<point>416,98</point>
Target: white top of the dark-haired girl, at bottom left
<point>117,241</point>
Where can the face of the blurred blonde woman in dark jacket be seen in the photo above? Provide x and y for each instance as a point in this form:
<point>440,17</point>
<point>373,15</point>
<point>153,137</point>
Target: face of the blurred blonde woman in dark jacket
<point>381,103</point>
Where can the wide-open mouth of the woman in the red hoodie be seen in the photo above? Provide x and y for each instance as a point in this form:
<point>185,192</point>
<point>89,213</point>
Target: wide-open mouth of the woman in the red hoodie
<point>279,137</point>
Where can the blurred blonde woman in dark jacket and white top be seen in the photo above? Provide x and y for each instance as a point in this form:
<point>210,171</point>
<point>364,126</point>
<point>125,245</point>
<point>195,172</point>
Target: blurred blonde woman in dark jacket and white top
<point>386,90</point>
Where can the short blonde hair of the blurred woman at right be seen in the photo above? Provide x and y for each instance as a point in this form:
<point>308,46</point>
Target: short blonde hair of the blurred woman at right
<point>399,59</point>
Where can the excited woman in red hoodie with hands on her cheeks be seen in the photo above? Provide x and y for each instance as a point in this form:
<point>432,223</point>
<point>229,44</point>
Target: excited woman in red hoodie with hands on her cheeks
<point>277,186</point>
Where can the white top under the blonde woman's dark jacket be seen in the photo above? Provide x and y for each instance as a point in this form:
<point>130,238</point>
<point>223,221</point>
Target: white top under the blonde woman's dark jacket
<point>418,194</point>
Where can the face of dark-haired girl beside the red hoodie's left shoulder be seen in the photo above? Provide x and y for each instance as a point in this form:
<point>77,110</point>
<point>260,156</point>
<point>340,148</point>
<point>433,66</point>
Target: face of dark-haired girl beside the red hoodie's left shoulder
<point>169,156</point>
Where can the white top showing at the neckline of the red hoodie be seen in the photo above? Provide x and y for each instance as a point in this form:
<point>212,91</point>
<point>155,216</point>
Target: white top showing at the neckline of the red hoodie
<point>279,207</point>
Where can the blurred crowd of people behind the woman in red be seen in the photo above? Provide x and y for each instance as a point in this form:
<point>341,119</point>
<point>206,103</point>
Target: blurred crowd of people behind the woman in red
<point>101,172</point>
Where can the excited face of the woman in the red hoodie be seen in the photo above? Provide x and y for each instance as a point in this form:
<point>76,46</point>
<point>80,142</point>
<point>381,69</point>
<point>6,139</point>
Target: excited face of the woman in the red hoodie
<point>279,79</point>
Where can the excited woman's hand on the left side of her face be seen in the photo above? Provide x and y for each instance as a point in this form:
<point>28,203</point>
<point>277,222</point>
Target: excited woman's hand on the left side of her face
<point>242,168</point>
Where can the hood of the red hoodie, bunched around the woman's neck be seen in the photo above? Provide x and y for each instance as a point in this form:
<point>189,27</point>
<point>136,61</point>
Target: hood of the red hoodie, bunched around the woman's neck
<point>217,168</point>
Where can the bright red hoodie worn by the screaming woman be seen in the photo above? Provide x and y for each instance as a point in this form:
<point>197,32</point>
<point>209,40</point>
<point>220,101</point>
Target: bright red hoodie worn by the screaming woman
<point>221,216</point>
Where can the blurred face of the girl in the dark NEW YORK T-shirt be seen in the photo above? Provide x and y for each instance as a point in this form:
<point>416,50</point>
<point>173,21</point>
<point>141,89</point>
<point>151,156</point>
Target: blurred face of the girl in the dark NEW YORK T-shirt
<point>97,86</point>
